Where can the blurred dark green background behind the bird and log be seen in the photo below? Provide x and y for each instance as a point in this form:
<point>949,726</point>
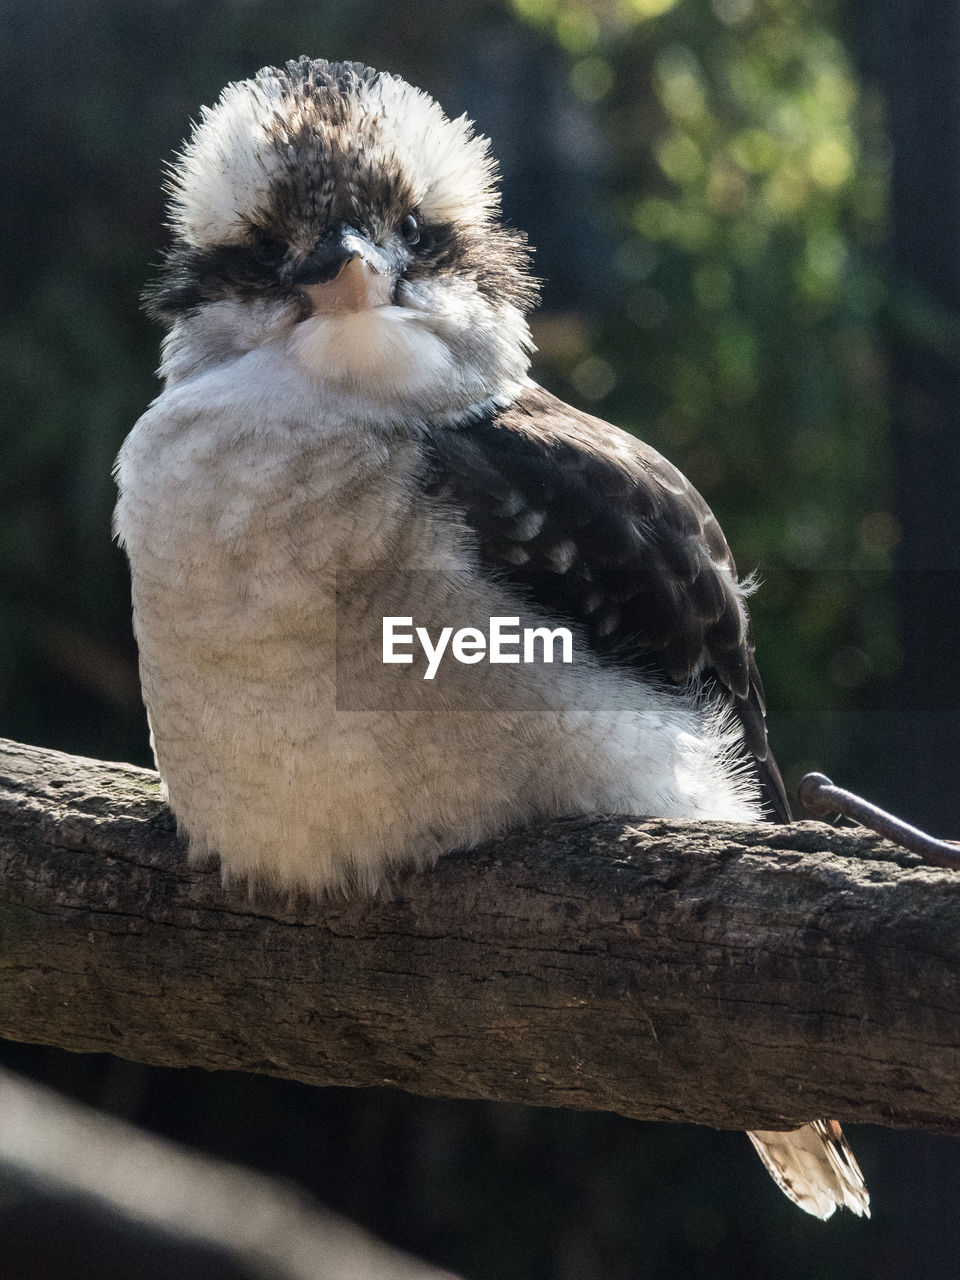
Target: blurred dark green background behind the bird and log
<point>747,216</point>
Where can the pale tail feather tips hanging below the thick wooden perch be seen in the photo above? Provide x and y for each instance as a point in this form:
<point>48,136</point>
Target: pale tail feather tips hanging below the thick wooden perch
<point>815,1168</point>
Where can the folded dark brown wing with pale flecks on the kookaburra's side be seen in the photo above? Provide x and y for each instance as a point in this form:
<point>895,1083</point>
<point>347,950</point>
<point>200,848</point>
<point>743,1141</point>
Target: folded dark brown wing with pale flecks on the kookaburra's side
<point>596,528</point>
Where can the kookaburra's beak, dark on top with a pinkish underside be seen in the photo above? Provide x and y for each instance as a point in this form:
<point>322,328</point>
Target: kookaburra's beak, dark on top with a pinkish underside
<point>346,272</point>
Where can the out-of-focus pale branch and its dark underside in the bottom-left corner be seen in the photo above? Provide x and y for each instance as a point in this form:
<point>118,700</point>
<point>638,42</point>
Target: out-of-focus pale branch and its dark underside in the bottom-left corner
<point>76,1182</point>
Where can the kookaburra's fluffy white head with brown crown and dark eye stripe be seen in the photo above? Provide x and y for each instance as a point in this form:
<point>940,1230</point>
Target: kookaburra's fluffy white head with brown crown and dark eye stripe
<point>335,217</point>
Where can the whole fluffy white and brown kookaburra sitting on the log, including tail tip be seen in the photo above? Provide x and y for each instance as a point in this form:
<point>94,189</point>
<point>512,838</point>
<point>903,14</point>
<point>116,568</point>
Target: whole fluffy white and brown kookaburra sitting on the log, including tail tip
<point>348,435</point>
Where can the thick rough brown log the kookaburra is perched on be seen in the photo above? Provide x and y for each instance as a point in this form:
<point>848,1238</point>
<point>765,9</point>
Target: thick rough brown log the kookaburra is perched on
<point>738,977</point>
